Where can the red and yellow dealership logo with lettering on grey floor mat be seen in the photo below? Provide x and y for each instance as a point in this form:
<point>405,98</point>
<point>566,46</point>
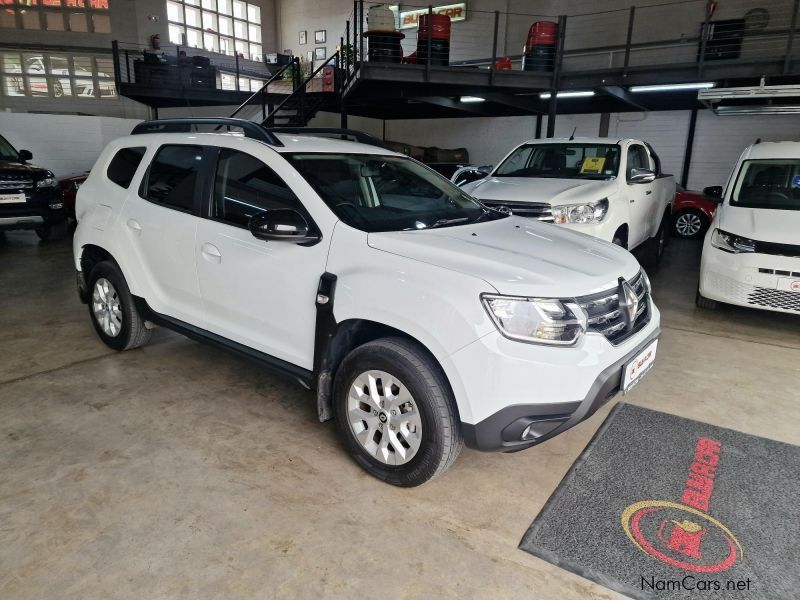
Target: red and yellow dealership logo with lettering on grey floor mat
<point>683,534</point>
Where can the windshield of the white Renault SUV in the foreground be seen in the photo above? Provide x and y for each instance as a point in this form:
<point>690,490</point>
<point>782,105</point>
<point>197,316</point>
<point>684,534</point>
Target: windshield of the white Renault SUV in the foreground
<point>386,193</point>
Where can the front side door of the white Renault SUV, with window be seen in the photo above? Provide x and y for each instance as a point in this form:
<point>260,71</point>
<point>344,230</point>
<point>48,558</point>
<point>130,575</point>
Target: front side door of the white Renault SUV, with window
<point>257,293</point>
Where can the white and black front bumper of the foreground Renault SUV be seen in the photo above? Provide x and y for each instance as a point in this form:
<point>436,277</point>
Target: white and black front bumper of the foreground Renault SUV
<point>572,384</point>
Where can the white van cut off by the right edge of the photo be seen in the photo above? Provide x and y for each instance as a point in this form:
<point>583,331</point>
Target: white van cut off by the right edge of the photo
<point>751,253</point>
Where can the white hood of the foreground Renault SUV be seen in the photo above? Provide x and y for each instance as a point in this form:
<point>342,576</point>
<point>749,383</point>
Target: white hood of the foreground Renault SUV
<point>517,256</point>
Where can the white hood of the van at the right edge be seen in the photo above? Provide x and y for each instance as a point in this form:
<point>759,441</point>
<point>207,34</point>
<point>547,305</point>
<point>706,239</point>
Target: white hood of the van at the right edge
<point>762,224</point>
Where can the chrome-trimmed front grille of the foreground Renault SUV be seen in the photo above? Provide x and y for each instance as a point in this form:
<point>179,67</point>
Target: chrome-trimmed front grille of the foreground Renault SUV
<point>606,317</point>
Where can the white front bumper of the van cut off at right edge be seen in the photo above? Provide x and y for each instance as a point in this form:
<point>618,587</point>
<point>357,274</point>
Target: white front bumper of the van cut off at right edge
<point>754,280</point>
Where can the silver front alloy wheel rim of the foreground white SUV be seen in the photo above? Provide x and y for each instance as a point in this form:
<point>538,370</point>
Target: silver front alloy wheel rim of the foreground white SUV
<point>384,417</point>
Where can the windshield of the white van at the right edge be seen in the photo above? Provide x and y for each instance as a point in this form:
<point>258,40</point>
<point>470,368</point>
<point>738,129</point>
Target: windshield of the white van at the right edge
<point>768,183</point>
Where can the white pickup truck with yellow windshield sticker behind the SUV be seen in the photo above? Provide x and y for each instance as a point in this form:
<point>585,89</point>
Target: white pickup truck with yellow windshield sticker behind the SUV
<point>606,187</point>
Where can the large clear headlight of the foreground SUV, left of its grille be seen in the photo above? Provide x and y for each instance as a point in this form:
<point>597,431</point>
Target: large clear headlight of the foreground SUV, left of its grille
<point>536,320</point>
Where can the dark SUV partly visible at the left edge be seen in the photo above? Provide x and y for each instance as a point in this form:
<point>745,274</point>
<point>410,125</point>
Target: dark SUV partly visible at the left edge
<point>29,195</point>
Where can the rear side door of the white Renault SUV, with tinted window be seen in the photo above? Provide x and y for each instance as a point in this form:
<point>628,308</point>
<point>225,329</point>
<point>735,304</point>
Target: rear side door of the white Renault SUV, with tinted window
<point>159,228</point>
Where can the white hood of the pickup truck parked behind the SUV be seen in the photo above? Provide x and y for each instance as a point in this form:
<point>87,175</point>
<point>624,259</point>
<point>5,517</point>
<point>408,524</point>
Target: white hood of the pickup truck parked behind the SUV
<point>541,189</point>
